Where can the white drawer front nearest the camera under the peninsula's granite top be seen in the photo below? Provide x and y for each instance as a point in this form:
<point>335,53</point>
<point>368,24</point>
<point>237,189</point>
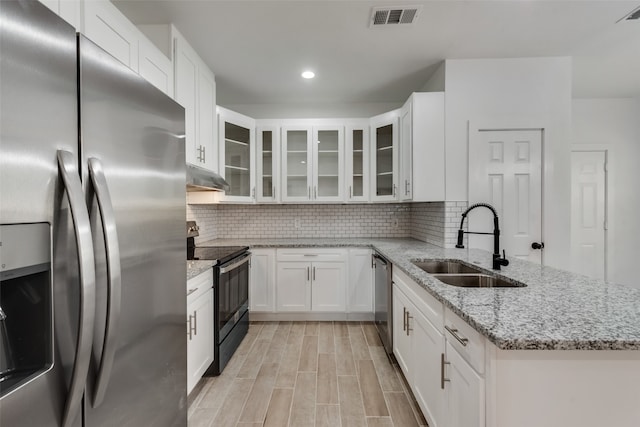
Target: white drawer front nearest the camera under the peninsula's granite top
<point>458,331</point>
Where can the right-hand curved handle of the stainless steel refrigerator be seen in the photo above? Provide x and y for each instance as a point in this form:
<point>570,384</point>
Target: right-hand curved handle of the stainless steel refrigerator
<point>114,276</point>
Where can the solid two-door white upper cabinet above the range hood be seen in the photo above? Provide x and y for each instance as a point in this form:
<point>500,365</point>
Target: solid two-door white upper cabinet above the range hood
<point>195,90</point>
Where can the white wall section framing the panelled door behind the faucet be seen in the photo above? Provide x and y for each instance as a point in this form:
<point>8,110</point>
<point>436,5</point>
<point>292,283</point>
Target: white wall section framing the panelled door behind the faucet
<point>535,92</point>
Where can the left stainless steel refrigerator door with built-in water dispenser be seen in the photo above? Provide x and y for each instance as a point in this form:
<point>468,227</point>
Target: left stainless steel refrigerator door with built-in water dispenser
<point>38,117</point>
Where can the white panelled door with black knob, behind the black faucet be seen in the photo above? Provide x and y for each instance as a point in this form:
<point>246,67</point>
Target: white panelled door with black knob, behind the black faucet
<point>505,170</point>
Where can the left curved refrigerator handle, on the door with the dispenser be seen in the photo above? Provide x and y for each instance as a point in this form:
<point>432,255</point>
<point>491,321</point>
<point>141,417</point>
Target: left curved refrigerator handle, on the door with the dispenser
<point>84,241</point>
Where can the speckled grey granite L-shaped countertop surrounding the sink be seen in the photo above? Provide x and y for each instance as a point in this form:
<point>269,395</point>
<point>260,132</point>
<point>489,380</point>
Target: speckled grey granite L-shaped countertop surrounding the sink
<point>558,310</point>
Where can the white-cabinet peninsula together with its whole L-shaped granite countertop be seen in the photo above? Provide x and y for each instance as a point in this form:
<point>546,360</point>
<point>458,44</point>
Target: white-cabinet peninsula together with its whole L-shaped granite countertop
<point>587,375</point>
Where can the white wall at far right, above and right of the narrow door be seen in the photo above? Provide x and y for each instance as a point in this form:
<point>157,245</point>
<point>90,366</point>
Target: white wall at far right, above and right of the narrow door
<point>614,125</point>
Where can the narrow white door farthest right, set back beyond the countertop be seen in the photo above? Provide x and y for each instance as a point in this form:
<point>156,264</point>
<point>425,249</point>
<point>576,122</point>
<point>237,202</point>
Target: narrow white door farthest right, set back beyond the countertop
<point>588,213</point>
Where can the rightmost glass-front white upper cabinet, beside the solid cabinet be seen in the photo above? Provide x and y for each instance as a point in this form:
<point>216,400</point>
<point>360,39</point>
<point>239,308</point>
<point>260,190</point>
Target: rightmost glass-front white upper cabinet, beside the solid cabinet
<point>384,157</point>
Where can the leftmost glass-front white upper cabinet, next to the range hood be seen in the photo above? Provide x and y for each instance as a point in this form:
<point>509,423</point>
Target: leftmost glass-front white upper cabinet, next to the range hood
<point>237,155</point>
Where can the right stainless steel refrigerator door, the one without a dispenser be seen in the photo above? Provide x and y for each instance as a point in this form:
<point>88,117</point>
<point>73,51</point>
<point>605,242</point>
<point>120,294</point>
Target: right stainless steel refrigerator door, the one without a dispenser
<point>134,135</point>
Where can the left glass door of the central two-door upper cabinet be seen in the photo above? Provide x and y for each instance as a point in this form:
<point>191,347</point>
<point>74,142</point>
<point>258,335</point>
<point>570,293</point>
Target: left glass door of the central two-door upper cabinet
<point>296,158</point>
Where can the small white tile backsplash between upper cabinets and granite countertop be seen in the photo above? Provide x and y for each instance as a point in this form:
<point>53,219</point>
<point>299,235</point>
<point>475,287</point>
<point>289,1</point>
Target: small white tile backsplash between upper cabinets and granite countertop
<point>434,222</point>
